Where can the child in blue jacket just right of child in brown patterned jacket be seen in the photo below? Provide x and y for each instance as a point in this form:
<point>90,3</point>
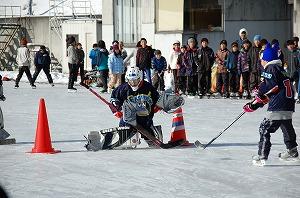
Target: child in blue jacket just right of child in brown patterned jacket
<point>231,65</point>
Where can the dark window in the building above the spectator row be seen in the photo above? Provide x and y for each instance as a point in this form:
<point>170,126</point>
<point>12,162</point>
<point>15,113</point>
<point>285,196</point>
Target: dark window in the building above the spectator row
<point>203,15</point>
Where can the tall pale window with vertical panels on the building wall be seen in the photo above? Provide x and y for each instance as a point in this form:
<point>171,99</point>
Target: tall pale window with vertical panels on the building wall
<point>126,14</point>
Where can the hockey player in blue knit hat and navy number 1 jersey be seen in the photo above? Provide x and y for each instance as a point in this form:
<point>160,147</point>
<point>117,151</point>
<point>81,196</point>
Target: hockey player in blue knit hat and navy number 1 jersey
<point>276,90</point>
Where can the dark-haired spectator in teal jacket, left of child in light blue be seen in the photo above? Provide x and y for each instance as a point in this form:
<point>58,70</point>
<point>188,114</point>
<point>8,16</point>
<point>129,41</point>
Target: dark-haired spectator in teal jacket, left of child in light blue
<point>102,65</point>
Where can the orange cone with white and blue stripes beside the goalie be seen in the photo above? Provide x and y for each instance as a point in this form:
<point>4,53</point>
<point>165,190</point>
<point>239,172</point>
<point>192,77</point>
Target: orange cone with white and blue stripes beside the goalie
<point>178,130</point>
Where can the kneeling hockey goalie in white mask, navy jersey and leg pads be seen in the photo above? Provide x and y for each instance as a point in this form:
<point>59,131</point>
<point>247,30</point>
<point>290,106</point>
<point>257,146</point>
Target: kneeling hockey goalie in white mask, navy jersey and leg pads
<point>136,102</point>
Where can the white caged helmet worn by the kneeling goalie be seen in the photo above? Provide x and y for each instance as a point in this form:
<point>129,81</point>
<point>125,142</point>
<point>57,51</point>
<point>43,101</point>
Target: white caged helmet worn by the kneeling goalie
<point>134,77</point>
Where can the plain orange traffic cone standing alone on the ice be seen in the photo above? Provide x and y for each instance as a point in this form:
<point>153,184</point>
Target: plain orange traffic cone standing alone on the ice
<point>42,136</point>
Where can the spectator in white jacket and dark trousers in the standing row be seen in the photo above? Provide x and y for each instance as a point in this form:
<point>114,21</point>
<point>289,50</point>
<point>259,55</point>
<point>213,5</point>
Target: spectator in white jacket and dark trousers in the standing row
<point>173,66</point>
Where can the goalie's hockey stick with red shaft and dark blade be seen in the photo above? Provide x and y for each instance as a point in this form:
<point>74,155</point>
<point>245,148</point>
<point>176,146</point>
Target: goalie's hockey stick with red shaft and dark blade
<point>139,128</point>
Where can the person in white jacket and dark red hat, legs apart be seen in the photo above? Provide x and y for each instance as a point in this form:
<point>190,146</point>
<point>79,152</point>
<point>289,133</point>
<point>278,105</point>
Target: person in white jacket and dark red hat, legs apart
<point>23,60</point>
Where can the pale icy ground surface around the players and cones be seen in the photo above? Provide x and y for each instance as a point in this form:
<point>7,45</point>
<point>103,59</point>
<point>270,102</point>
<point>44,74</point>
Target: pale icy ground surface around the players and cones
<point>222,170</point>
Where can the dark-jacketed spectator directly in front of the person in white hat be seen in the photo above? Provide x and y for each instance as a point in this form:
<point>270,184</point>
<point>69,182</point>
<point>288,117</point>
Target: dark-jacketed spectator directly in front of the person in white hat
<point>244,63</point>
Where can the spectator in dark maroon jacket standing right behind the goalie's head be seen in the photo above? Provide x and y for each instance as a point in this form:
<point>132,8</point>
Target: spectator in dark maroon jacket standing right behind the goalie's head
<point>143,59</point>
